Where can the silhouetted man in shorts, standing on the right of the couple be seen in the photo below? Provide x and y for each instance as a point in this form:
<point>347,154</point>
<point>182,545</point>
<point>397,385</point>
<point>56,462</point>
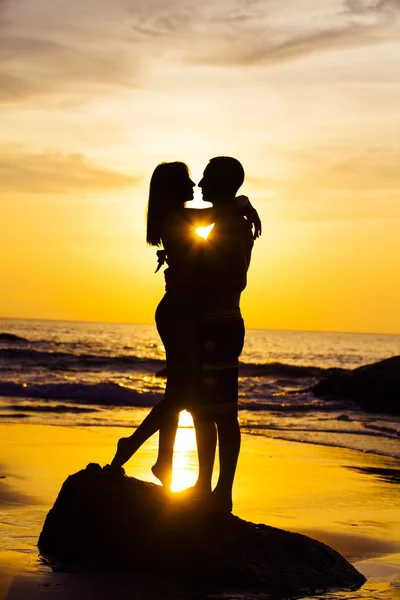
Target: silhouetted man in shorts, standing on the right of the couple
<point>223,270</point>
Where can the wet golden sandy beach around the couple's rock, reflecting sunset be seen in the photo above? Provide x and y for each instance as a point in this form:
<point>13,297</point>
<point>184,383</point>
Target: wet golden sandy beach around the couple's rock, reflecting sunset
<point>331,494</point>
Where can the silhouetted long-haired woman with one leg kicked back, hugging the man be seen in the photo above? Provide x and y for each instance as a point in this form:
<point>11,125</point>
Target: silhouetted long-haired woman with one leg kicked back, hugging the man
<point>171,225</point>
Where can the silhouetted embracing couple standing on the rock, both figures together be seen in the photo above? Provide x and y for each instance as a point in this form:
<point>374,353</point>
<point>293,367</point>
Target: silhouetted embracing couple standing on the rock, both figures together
<point>199,319</point>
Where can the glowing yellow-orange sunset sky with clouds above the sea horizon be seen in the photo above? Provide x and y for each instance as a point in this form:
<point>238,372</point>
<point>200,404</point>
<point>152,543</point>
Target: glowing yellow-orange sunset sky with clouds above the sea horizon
<point>306,94</point>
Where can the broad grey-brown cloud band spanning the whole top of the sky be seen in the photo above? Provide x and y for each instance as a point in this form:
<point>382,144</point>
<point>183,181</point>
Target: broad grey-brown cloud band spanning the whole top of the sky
<point>81,49</point>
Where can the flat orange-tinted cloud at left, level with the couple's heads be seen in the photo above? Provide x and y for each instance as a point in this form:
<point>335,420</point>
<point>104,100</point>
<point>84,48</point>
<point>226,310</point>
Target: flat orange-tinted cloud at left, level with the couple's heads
<point>55,173</point>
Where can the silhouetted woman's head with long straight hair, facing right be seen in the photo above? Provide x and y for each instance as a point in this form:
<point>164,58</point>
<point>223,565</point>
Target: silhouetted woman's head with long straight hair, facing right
<point>167,191</point>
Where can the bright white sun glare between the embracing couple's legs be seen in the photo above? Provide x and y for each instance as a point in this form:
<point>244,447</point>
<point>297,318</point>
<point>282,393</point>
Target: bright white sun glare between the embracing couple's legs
<point>185,455</point>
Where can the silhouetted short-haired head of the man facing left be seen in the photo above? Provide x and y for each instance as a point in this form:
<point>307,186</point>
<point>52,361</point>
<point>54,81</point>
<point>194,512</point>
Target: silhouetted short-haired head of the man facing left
<point>221,180</point>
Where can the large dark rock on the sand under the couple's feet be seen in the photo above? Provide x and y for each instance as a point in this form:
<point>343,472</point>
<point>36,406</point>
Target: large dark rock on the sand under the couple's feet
<point>105,520</point>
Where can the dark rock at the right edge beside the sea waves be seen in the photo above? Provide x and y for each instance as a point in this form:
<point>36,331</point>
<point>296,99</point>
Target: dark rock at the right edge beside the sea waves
<point>376,387</point>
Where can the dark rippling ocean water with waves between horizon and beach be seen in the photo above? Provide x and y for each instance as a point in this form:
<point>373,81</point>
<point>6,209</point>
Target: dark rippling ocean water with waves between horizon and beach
<point>93,374</point>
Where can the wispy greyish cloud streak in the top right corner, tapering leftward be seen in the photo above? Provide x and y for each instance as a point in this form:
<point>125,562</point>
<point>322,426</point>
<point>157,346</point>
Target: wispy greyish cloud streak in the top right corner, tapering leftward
<point>261,42</point>
